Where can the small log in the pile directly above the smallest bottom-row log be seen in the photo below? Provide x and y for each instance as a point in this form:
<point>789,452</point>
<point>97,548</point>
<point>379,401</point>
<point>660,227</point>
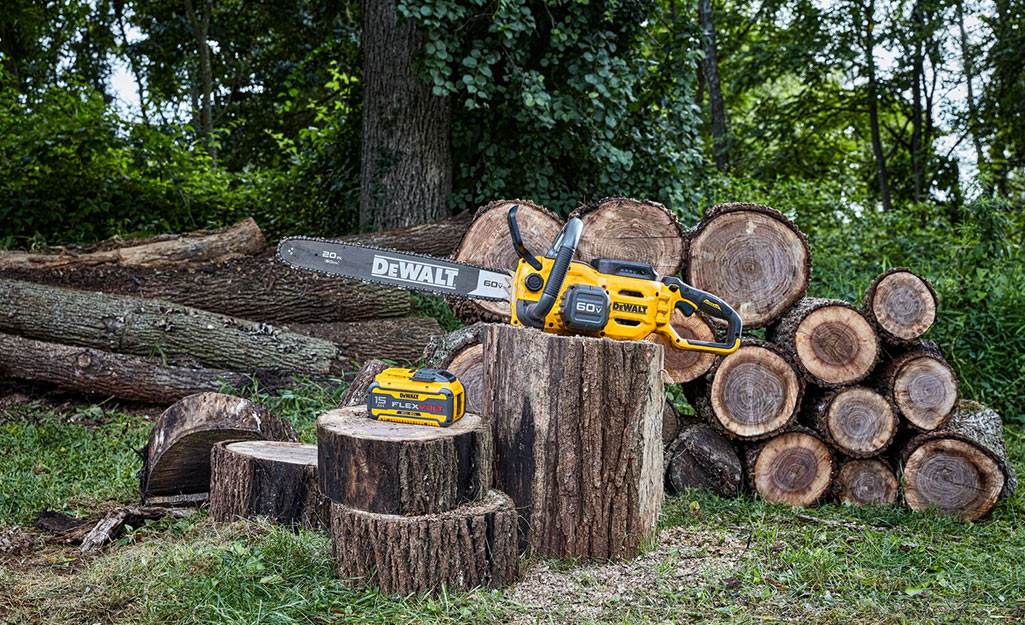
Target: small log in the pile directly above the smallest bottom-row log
<point>858,422</point>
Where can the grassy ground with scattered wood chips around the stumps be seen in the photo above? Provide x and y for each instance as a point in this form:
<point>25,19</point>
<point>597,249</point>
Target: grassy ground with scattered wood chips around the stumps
<point>717,561</point>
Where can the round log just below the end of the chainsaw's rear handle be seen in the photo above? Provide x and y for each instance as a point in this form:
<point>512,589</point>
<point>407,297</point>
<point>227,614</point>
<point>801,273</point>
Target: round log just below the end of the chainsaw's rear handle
<point>752,394</point>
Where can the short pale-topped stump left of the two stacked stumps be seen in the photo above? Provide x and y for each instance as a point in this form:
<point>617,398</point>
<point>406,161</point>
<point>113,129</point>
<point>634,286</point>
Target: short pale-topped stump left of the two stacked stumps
<point>266,479</point>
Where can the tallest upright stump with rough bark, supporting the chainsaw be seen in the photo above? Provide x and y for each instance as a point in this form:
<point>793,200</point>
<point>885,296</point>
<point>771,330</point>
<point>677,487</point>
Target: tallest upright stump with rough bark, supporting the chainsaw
<point>579,439</point>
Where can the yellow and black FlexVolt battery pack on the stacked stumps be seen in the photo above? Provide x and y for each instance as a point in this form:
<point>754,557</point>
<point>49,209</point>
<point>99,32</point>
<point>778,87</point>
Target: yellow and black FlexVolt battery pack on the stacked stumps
<point>421,397</point>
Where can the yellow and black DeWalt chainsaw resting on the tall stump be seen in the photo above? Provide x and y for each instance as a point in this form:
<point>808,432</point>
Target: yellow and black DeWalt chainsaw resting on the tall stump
<point>619,300</point>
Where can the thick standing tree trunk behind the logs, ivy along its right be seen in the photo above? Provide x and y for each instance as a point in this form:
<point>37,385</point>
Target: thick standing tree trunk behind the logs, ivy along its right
<point>406,173</point>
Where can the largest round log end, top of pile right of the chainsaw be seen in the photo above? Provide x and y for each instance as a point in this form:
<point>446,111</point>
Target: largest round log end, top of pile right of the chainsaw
<point>753,258</point>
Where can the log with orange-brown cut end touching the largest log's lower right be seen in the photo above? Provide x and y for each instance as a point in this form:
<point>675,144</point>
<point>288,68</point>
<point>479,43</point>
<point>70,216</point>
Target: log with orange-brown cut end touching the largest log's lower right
<point>831,342</point>
